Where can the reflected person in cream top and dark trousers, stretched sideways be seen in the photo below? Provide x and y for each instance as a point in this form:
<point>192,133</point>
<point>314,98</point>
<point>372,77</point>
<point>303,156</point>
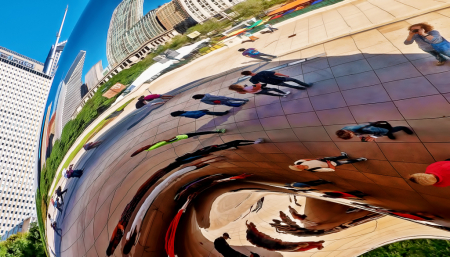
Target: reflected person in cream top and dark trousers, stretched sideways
<point>327,164</point>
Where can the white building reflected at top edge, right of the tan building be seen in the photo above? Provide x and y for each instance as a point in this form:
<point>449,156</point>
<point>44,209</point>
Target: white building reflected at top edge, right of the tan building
<point>202,10</point>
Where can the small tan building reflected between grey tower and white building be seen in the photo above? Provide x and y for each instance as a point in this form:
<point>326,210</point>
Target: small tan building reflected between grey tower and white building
<point>173,16</point>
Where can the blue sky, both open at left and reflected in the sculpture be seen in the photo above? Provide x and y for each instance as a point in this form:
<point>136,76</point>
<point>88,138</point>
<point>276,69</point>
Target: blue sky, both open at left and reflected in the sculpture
<point>86,28</point>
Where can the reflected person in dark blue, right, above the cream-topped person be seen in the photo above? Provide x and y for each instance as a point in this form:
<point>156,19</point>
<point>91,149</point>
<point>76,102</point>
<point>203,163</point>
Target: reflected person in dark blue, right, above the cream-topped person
<point>369,132</point>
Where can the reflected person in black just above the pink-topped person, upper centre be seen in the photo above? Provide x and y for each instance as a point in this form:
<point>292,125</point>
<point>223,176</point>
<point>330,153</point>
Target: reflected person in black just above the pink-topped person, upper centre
<point>274,78</point>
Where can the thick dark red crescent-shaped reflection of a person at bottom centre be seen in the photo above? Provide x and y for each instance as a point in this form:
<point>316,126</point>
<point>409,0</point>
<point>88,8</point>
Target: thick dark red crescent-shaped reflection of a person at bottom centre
<point>255,237</point>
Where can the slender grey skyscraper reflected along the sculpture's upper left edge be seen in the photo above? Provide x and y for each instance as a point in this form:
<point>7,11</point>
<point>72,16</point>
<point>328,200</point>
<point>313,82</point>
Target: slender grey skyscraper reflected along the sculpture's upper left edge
<point>70,94</point>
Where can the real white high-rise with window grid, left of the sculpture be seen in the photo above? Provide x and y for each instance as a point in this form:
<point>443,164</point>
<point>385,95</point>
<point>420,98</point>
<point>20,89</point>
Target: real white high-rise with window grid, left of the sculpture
<point>24,89</point>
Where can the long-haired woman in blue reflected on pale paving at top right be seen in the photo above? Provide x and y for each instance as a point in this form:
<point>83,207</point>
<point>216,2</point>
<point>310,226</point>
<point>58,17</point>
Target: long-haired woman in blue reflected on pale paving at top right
<point>429,40</point>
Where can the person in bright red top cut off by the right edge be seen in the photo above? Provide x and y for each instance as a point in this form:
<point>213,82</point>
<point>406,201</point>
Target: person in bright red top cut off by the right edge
<point>436,174</point>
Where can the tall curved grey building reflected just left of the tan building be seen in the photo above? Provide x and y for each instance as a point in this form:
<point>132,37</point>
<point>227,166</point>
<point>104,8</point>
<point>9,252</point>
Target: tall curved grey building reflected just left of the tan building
<point>129,30</point>
